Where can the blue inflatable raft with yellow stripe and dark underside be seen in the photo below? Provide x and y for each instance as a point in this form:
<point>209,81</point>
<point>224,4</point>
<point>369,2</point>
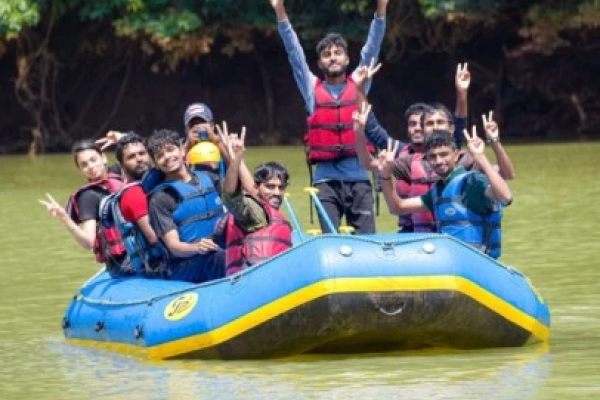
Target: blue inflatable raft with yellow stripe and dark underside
<point>329,294</point>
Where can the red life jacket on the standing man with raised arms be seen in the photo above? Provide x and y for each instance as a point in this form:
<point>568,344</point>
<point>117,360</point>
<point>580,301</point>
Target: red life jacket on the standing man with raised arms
<point>330,133</point>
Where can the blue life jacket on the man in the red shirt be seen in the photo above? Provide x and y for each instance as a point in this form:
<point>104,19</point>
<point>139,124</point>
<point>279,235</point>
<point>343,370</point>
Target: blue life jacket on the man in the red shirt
<point>142,257</point>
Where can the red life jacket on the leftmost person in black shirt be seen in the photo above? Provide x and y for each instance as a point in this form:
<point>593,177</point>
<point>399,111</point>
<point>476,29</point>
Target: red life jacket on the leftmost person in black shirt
<point>107,244</point>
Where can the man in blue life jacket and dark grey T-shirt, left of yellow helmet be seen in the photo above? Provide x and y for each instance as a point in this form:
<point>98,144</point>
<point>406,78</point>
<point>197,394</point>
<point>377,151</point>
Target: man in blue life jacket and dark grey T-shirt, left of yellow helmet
<point>184,207</point>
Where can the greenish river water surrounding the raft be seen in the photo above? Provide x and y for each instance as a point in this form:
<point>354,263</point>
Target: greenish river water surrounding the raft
<point>551,234</point>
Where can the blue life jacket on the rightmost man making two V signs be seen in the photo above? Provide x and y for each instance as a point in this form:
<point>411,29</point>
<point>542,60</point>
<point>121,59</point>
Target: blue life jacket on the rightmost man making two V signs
<point>454,218</point>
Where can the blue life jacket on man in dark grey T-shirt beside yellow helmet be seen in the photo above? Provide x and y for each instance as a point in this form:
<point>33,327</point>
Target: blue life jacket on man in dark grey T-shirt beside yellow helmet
<point>199,207</point>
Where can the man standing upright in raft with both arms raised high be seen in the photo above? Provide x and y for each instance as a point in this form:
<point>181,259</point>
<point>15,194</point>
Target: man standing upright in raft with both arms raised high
<point>344,186</point>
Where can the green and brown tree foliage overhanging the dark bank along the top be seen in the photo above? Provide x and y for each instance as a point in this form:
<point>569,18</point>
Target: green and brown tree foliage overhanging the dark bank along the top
<point>169,32</point>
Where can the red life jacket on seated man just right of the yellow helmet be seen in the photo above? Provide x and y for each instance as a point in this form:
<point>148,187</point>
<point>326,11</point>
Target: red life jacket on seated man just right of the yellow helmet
<point>244,249</point>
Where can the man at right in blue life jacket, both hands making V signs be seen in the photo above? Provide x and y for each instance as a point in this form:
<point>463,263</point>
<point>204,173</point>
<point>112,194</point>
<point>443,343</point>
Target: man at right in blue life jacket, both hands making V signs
<point>466,205</point>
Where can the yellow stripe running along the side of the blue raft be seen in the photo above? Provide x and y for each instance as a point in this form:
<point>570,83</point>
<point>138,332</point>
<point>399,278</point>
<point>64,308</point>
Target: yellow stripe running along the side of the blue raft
<point>324,288</point>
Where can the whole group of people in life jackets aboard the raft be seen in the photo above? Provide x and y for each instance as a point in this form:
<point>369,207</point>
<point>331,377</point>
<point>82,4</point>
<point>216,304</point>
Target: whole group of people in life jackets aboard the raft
<point>189,209</point>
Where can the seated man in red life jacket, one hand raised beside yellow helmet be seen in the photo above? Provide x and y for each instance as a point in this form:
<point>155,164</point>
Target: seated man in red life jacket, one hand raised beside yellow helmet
<point>254,229</point>
